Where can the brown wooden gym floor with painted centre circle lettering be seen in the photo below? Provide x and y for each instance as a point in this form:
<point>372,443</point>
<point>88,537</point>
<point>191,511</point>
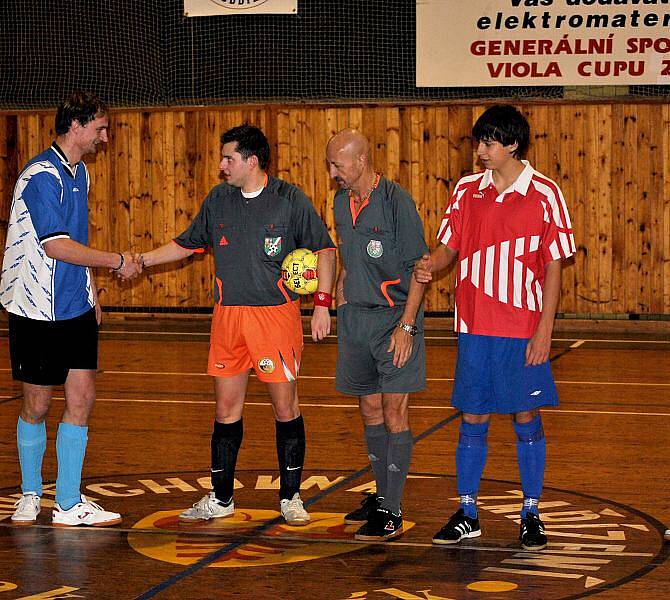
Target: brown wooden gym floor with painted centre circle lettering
<point>607,485</point>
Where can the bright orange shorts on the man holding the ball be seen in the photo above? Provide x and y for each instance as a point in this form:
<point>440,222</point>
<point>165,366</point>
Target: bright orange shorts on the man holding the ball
<point>267,339</point>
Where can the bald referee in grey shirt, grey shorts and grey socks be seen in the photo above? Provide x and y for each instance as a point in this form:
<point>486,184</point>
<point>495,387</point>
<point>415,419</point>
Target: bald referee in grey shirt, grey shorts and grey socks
<point>381,353</point>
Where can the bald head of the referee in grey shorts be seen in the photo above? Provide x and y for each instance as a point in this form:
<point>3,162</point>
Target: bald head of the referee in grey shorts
<point>348,155</point>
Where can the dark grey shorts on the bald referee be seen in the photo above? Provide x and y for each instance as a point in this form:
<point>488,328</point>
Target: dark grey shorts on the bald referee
<point>364,365</point>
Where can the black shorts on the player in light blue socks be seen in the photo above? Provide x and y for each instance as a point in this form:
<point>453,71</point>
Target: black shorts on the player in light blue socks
<point>43,352</point>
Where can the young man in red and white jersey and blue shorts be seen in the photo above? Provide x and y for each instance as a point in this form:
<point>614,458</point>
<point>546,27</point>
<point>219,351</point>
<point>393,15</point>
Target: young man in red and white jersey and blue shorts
<point>509,230</point>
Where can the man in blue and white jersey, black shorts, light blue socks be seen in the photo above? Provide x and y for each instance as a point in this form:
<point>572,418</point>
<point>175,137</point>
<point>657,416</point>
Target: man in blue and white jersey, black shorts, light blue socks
<point>47,289</point>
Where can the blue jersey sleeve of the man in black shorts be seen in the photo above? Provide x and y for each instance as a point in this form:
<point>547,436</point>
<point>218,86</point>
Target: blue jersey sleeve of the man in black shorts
<point>42,195</point>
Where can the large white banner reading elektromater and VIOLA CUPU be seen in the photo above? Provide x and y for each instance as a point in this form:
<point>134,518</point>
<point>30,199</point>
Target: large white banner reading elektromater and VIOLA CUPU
<point>542,42</point>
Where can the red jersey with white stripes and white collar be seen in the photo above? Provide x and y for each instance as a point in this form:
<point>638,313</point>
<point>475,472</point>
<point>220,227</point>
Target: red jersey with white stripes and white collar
<point>503,243</point>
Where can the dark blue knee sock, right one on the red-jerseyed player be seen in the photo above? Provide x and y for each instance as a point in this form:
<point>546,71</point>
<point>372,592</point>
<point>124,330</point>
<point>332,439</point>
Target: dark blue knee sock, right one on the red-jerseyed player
<point>531,448</point>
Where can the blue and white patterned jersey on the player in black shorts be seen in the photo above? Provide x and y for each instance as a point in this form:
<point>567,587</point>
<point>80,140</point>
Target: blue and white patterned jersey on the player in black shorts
<point>50,201</point>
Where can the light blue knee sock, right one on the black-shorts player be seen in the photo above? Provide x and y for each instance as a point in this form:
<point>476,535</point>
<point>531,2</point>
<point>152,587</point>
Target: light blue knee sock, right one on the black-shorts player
<point>70,449</point>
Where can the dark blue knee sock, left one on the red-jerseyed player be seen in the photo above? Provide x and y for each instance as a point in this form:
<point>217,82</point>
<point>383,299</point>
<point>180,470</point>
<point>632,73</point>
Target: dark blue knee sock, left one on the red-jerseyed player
<point>470,462</point>
